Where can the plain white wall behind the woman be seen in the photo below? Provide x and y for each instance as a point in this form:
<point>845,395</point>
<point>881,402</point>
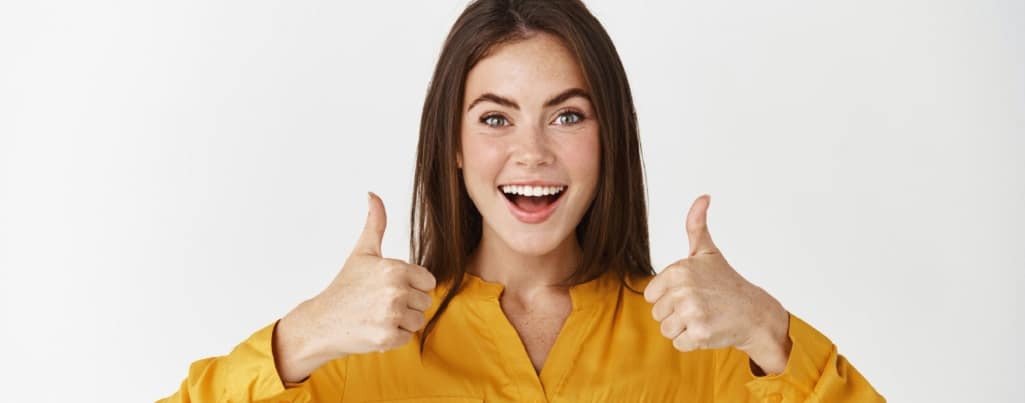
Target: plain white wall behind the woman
<point>176,176</point>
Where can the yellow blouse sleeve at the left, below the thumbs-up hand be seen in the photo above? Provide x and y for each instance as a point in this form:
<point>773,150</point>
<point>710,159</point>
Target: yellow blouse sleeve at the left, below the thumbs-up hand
<point>249,374</point>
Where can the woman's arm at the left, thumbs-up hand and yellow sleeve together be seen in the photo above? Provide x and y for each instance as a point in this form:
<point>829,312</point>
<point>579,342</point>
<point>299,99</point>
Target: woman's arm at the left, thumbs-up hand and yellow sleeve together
<point>374,305</point>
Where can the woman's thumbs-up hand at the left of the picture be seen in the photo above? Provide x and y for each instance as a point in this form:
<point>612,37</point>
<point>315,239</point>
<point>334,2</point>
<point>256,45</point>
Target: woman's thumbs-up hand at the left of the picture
<point>375,304</point>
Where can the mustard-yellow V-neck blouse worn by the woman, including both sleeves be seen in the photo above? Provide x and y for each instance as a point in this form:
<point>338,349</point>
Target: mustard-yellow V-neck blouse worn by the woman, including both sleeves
<point>609,350</point>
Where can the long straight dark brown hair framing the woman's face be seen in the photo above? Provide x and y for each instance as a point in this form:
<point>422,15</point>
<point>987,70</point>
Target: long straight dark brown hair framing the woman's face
<point>445,226</point>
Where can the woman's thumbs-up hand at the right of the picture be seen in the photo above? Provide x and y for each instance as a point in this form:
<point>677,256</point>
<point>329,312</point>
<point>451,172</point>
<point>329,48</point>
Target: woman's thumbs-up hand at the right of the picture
<point>703,303</point>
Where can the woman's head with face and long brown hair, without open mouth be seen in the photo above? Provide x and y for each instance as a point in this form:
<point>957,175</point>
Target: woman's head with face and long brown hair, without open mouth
<point>528,52</point>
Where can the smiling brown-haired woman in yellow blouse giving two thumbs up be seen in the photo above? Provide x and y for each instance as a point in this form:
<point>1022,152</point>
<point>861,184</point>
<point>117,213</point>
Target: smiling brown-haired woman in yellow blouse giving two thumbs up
<point>531,278</point>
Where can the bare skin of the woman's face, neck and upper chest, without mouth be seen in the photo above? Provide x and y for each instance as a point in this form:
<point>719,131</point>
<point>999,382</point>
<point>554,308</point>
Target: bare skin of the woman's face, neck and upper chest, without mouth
<point>535,140</point>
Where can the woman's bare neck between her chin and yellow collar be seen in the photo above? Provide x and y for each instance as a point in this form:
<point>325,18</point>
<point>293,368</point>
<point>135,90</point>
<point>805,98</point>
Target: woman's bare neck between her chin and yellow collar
<point>524,275</point>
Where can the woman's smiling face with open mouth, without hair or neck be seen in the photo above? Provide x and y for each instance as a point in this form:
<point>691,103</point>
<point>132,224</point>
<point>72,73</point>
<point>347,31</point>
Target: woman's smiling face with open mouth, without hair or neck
<point>530,144</point>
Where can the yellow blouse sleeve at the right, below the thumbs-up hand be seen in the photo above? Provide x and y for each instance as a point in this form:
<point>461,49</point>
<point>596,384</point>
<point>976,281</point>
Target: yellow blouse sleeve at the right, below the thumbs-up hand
<point>814,373</point>
